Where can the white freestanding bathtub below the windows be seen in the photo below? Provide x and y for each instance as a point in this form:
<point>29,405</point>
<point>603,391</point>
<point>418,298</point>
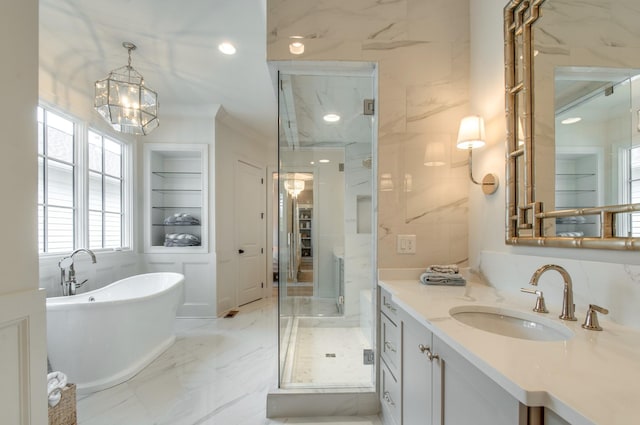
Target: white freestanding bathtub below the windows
<point>104,337</point>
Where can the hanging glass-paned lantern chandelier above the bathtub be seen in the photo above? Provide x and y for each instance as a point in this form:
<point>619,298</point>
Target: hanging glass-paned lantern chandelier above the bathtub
<point>124,102</point>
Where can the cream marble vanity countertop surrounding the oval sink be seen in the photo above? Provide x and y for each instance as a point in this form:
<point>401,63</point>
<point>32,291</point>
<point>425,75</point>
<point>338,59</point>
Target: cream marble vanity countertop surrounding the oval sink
<point>592,378</point>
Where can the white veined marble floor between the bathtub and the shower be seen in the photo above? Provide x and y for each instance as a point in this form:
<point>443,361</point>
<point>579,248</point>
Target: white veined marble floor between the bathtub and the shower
<point>218,372</point>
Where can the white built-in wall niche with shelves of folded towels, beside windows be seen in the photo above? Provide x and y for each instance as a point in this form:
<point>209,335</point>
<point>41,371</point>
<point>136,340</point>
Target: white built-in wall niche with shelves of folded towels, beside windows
<point>176,197</point>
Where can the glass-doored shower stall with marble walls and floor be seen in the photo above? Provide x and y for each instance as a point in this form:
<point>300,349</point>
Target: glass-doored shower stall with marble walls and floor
<point>326,225</point>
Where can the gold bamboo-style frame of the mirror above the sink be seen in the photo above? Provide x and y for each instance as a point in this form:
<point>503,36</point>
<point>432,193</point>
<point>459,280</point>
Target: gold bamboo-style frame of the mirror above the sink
<point>525,219</point>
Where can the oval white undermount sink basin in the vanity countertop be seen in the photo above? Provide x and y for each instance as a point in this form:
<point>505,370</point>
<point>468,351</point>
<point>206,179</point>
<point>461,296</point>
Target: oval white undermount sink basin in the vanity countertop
<point>515,324</point>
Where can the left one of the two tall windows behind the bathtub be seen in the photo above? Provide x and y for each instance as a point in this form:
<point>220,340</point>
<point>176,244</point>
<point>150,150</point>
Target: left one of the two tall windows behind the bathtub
<point>56,183</point>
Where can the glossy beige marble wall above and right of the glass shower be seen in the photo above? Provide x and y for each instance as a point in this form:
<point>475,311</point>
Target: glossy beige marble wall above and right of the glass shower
<point>422,51</point>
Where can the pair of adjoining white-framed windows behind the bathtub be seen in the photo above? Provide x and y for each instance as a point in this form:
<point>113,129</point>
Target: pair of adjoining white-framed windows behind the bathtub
<point>81,187</point>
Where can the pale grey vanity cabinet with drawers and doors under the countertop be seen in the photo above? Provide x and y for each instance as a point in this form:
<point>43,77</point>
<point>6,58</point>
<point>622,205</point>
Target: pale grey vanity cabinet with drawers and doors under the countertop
<point>437,384</point>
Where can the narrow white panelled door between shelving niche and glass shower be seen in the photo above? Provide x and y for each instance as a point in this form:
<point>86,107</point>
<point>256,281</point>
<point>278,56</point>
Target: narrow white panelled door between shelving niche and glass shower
<point>250,232</point>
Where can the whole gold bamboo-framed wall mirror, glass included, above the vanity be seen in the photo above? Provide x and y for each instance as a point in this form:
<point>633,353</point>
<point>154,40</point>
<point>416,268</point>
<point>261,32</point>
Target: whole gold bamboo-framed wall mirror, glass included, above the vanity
<point>575,187</point>
